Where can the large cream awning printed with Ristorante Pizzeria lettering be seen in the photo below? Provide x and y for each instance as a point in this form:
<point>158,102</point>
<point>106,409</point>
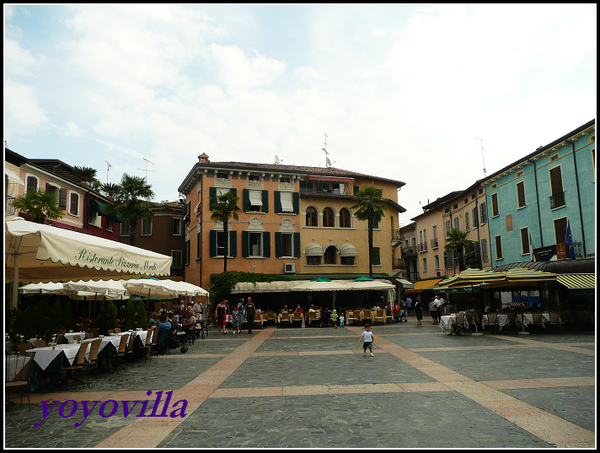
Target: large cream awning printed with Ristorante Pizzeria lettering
<point>42,253</point>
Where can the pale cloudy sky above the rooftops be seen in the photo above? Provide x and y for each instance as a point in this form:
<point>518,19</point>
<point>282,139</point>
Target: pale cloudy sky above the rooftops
<point>434,95</point>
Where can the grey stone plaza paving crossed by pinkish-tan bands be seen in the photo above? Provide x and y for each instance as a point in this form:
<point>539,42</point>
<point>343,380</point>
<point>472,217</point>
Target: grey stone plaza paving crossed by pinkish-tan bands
<point>314,388</point>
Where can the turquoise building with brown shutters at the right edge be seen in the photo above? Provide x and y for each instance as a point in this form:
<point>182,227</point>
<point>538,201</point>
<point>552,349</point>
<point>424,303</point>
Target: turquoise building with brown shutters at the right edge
<point>542,207</point>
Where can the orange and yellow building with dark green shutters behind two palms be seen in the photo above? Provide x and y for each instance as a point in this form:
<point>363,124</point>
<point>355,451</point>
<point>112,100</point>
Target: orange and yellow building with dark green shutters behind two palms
<point>294,221</point>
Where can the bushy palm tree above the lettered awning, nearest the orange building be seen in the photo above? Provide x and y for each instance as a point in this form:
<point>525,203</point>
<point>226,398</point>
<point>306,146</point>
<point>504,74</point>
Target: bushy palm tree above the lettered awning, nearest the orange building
<point>132,201</point>
